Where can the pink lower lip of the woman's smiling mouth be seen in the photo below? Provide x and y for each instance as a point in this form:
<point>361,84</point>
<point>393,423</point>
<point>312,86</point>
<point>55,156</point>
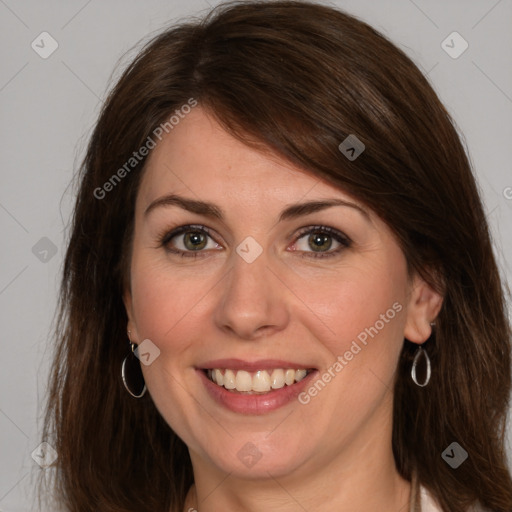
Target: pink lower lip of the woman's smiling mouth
<point>255,404</point>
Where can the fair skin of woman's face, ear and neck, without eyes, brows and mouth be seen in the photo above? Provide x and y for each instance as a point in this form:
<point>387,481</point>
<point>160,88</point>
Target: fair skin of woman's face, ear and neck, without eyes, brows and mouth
<point>333,453</point>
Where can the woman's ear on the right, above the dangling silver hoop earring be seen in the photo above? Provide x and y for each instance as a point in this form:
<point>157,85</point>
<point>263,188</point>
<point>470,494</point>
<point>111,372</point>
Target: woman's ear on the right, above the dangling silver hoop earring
<point>423,307</point>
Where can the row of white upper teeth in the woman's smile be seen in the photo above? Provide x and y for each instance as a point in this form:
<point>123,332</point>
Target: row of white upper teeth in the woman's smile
<point>260,381</point>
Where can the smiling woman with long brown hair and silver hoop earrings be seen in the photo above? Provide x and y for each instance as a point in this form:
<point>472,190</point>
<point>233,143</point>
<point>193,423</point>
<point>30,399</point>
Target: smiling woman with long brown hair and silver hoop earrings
<point>280,291</point>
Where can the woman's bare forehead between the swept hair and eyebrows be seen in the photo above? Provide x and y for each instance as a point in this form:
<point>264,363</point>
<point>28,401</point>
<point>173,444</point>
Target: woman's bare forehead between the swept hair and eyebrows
<point>200,159</point>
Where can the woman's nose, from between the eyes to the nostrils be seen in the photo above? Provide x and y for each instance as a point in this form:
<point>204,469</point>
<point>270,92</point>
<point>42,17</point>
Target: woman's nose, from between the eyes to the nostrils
<point>253,302</point>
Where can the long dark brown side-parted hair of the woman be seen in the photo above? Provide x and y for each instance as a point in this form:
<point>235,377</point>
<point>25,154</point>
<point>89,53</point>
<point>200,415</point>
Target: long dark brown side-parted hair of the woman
<point>296,78</point>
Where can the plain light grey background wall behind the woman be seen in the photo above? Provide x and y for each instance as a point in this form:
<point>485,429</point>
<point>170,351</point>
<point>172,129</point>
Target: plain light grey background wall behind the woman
<point>48,107</point>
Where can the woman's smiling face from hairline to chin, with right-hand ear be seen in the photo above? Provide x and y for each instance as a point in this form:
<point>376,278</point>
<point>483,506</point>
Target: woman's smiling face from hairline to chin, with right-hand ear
<point>260,280</point>
